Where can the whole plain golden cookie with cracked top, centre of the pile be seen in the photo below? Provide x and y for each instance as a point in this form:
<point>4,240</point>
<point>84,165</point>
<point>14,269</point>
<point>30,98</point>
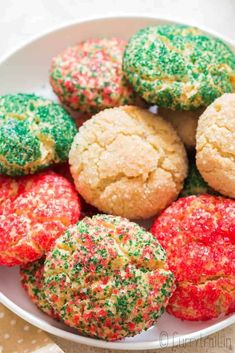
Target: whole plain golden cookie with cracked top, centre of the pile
<point>128,162</point>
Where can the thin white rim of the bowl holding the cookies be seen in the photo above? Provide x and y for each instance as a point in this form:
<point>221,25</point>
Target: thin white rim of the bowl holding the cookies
<point>40,323</point>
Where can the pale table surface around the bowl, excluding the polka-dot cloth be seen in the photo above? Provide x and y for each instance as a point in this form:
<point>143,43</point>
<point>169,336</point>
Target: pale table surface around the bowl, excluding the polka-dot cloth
<point>21,20</point>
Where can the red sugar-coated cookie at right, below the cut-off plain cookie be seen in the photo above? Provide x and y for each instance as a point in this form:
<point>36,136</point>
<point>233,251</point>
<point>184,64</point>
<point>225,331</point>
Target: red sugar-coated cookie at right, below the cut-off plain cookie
<point>197,233</point>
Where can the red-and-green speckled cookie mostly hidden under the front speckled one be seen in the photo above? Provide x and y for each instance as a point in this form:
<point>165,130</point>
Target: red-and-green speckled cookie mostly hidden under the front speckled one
<point>31,276</point>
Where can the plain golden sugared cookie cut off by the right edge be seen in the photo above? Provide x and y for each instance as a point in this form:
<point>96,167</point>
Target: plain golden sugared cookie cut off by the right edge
<point>215,145</point>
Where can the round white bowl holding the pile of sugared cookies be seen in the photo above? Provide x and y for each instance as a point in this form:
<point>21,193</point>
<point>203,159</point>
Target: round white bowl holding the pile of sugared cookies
<point>26,70</point>
